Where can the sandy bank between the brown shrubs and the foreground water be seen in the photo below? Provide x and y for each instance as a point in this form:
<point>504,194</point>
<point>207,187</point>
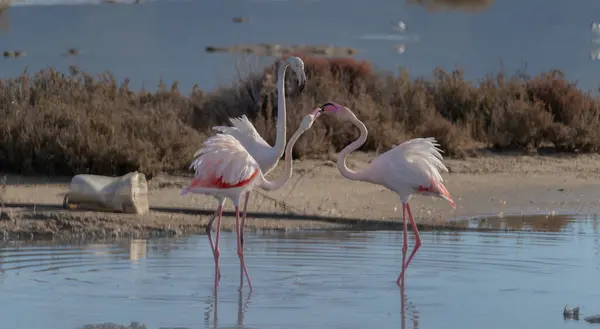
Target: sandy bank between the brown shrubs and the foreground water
<point>318,197</point>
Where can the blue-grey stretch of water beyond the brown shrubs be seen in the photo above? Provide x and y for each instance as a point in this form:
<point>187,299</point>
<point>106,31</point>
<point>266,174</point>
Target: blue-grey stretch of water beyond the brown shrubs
<point>168,38</point>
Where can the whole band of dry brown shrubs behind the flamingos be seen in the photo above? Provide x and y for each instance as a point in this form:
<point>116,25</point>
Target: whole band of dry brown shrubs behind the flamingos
<point>61,124</point>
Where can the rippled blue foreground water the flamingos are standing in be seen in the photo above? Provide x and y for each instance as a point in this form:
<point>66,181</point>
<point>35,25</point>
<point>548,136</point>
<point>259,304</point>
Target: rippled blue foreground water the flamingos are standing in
<point>308,280</point>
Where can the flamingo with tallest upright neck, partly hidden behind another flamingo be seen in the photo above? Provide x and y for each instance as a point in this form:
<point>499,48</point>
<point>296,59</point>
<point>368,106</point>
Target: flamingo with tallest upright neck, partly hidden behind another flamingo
<point>243,130</point>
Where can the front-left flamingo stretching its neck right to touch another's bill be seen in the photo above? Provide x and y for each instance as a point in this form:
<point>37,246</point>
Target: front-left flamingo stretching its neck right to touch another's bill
<point>225,169</point>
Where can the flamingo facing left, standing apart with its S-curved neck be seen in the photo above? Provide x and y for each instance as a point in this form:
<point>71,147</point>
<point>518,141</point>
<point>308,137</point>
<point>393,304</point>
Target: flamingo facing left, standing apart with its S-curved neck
<point>412,167</point>
